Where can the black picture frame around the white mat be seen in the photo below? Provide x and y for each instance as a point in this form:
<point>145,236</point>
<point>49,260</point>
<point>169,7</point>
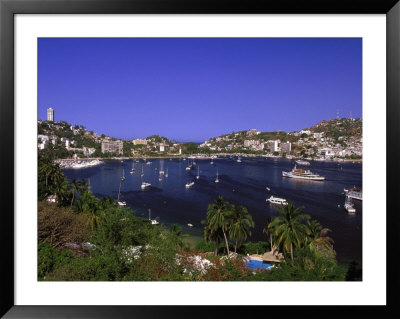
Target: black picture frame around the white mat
<point>8,8</point>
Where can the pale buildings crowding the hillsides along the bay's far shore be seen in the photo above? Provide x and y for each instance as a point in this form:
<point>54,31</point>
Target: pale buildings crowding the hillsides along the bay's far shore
<point>306,143</point>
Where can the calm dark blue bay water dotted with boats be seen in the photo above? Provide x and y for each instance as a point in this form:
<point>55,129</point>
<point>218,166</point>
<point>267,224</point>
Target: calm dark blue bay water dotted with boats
<point>242,183</point>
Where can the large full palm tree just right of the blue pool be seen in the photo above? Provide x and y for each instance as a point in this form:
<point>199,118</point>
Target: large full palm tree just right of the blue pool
<point>288,227</point>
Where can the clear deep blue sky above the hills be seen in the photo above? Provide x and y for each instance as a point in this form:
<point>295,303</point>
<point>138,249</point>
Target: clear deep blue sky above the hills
<point>190,89</point>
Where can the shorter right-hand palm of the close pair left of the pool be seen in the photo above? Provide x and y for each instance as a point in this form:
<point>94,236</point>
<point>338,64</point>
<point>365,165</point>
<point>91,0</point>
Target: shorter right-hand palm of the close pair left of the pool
<point>240,224</point>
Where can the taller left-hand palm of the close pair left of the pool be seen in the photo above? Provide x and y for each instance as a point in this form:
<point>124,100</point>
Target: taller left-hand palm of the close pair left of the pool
<point>218,218</point>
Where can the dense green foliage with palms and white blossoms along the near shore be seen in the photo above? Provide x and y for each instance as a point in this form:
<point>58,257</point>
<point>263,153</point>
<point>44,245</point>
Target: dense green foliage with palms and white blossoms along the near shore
<point>81,237</point>
